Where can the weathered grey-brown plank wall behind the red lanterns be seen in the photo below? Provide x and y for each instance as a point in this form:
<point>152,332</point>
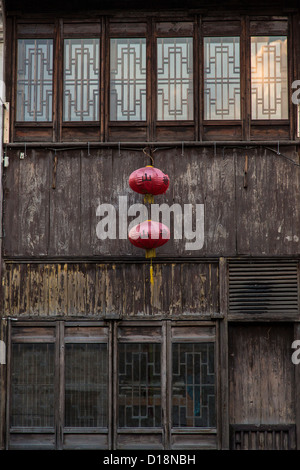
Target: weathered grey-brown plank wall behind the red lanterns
<point>255,214</point>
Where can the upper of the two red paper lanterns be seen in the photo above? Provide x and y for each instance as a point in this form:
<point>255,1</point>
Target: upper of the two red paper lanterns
<point>149,181</point>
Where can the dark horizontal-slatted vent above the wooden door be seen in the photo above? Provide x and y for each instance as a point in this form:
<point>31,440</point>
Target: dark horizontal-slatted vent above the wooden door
<point>263,287</point>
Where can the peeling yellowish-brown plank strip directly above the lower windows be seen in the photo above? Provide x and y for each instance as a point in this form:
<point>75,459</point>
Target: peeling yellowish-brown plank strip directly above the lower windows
<point>111,290</point>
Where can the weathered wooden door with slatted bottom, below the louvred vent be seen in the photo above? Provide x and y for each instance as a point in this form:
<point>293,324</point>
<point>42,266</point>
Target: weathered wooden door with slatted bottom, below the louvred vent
<point>261,386</point>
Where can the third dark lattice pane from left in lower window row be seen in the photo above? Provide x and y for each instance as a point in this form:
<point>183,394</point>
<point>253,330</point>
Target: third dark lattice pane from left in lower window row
<point>139,385</point>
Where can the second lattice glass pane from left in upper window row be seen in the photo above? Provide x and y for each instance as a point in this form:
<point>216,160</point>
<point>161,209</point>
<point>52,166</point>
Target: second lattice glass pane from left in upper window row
<point>81,79</point>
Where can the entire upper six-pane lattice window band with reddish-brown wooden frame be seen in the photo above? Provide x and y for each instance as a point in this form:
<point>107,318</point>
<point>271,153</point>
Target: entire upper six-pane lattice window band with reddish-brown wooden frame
<point>151,79</point>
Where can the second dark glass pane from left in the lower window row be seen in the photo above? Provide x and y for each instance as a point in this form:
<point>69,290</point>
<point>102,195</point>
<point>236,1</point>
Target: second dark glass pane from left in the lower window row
<point>86,388</point>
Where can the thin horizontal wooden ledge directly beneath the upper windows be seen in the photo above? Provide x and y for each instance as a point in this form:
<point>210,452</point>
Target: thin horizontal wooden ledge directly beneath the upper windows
<point>139,145</point>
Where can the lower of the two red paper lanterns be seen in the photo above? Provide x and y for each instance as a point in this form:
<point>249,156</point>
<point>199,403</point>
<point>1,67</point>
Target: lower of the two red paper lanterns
<point>149,235</point>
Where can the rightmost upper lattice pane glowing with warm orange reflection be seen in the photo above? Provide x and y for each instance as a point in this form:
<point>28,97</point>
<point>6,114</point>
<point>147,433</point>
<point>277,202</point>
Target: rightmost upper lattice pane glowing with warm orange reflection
<point>269,95</point>
